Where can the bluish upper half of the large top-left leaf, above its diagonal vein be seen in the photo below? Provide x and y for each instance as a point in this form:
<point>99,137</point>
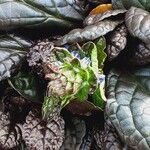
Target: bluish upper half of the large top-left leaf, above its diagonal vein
<point>60,9</point>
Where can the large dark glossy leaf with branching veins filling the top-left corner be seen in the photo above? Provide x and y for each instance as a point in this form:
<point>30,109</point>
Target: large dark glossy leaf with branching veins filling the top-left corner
<point>35,13</point>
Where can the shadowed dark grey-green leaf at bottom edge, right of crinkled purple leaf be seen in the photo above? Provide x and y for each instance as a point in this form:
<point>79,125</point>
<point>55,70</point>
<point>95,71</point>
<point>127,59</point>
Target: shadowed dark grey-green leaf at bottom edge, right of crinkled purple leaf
<point>76,135</point>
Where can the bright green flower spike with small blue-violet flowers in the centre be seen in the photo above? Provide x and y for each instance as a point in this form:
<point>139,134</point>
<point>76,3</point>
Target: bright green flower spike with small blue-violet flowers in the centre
<point>74,76</point>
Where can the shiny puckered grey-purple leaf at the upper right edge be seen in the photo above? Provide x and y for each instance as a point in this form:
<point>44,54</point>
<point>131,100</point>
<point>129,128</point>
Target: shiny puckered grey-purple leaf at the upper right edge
<point>137,21</point>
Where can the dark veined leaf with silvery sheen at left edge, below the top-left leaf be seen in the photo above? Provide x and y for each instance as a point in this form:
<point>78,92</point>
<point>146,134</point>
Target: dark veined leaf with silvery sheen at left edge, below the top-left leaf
<point>13,50</point>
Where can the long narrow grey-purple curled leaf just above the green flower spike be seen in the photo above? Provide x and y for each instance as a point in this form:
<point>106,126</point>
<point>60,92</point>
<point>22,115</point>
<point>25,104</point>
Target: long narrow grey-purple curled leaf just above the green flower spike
<point>88,33</point>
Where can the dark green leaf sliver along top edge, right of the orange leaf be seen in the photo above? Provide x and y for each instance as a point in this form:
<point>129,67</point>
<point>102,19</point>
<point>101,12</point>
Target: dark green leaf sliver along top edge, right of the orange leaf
<point>126,4</point>
